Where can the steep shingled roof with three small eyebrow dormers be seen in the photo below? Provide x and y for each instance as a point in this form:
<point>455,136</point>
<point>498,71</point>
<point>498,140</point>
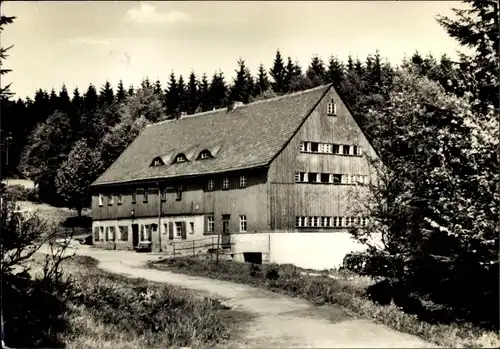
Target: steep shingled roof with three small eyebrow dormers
<point>248,137</point>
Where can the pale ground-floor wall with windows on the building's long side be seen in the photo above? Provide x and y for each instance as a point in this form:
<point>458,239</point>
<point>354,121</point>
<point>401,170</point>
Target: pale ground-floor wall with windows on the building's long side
<point>166,246</point>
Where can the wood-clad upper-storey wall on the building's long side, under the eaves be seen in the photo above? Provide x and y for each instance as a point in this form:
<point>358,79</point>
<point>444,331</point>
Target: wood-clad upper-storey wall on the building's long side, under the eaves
<point>196,200</point>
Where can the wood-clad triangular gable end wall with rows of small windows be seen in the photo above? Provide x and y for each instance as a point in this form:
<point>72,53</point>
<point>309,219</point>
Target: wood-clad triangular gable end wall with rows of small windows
<point>289,199</point>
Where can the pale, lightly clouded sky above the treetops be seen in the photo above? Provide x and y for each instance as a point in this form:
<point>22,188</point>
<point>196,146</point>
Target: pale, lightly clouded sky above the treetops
<point>78,43</point>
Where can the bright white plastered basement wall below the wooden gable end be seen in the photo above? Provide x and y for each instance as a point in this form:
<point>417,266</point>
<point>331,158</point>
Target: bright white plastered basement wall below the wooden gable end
<point>314,250</point>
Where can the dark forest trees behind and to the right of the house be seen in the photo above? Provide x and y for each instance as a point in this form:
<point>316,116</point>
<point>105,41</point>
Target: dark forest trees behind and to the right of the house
<point>432,120</point>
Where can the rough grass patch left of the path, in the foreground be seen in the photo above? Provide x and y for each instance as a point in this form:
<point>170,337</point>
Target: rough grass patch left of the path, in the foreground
<point>113,311</point>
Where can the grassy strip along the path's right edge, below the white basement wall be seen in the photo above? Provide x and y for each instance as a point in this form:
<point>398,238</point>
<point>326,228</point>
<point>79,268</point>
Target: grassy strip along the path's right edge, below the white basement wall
<point>346,290</point>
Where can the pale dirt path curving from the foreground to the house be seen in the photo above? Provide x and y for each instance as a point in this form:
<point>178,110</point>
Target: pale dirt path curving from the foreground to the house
<point>280,321</point>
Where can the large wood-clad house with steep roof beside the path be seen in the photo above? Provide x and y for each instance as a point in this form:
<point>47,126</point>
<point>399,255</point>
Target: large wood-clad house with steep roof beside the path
<point>281,165</point>
